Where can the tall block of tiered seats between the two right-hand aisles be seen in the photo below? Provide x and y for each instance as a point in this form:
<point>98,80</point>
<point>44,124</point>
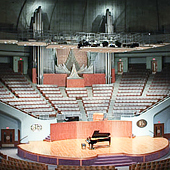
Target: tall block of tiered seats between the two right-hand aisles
<point>129,98</point>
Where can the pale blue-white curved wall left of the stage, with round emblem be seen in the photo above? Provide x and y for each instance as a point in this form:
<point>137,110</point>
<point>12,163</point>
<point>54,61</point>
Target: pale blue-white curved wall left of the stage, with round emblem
<point>16,119</point>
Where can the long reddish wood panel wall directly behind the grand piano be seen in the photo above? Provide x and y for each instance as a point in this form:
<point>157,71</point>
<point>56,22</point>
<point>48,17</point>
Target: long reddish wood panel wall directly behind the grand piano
<point>81,130</point>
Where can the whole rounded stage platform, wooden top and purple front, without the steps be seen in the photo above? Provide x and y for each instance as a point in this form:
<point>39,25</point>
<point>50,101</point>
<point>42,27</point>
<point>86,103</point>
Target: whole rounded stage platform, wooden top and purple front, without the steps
<point>70,152</point>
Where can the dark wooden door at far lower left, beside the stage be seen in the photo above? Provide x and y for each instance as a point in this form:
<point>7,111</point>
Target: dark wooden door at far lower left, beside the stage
<point>7,137</point>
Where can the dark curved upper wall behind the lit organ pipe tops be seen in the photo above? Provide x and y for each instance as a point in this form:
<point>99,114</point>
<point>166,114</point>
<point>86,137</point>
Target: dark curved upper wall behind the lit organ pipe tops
<point>88,15</point>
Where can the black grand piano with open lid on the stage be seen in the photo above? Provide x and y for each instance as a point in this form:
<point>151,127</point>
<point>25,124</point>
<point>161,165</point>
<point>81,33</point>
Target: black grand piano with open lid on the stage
<point>98,137</point>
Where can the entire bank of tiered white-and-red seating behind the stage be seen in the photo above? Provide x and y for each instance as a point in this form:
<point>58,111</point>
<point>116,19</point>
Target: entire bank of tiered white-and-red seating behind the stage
<point>136,93</point>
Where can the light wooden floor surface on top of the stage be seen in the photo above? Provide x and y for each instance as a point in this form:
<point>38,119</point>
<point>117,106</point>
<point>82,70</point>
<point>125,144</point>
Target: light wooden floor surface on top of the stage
<point>119,145</point>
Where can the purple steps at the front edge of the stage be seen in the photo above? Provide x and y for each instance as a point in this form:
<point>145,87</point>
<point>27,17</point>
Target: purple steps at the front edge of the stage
<point>113,160</point>
